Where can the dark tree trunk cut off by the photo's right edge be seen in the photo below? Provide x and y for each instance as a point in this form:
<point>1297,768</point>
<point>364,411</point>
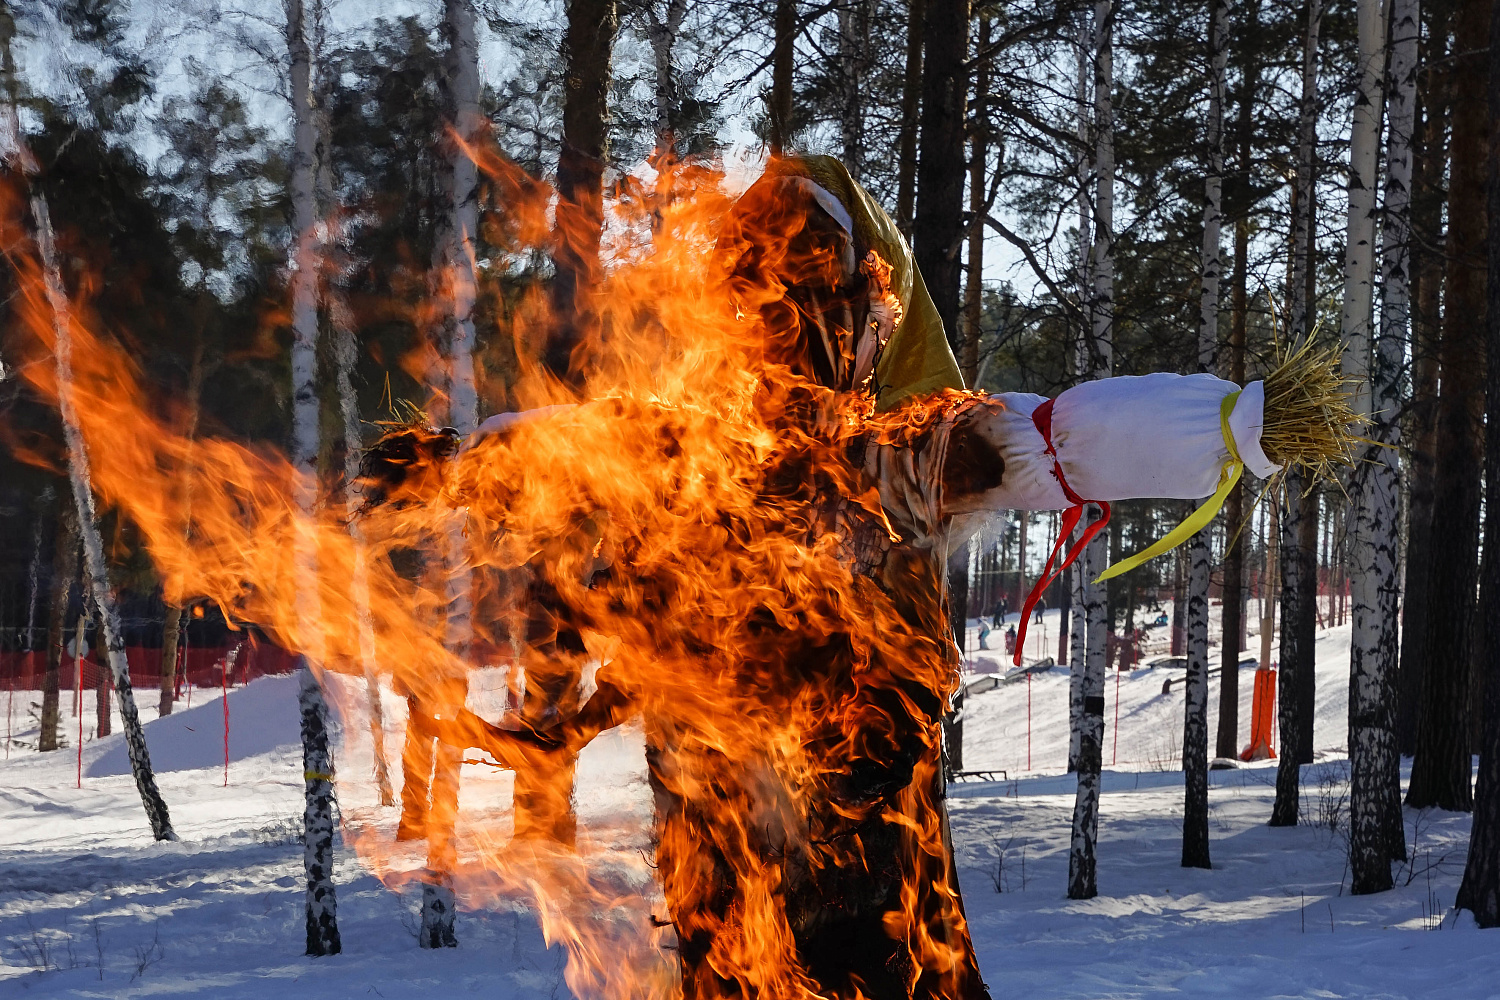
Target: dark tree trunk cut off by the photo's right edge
<point>1480,891</point>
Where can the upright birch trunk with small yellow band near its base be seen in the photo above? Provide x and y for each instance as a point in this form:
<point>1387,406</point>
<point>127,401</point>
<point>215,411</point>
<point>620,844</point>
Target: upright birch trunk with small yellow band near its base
<point>317,762</point>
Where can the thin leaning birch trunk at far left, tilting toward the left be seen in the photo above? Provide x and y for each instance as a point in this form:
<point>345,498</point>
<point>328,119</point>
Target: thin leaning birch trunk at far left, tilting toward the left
<point>79,479</point>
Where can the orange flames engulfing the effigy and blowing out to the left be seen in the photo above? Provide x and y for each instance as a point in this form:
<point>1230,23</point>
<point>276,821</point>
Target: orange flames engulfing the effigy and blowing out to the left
<point>718,500</point>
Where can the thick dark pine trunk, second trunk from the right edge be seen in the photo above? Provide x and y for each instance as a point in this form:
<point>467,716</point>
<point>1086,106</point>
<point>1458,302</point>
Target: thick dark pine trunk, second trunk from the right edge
<point>1442,768</point>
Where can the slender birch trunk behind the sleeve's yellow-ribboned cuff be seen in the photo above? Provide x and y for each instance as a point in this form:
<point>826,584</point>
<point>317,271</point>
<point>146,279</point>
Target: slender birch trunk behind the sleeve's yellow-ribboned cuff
<point>1196,705</point>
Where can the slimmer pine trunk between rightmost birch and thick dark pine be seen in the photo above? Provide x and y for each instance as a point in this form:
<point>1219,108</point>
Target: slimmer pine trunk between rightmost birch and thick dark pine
<point>1427,224</point>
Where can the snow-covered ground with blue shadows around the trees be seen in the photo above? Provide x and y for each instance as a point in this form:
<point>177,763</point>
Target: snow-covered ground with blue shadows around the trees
<point>91,908</point>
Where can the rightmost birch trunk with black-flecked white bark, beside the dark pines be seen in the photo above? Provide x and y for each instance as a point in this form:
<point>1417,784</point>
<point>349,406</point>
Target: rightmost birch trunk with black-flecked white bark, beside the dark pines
<point>1375,762</point>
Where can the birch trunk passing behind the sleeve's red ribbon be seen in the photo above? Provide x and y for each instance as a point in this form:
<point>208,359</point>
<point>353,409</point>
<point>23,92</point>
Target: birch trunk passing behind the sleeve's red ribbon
<point>1082,858</point>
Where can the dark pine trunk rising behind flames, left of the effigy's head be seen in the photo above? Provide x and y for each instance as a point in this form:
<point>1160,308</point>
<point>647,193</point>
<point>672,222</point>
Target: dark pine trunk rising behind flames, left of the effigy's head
<point>589,44</point>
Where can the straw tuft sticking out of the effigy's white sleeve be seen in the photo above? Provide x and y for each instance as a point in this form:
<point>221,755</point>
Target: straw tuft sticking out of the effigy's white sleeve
<point>1309,419</point>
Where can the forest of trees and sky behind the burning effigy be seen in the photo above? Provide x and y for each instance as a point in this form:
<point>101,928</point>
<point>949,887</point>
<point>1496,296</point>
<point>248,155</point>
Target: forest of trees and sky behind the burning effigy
<point>1027,149</point>
